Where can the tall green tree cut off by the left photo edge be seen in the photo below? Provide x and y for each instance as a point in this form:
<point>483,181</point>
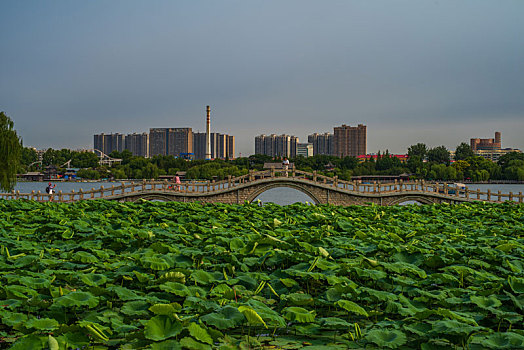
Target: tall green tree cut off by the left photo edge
<point>10,153</point>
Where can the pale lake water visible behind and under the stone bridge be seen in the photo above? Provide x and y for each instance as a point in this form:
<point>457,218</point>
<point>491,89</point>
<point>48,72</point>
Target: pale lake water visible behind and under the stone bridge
<point>281,195</point>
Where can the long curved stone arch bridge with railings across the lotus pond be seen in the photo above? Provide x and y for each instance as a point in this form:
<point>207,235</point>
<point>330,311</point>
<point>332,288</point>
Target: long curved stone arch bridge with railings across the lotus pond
<point>321,189</point>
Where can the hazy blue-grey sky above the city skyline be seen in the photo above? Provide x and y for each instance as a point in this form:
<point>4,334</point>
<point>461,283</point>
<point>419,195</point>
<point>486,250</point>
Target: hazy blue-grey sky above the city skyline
<point>438,72</point>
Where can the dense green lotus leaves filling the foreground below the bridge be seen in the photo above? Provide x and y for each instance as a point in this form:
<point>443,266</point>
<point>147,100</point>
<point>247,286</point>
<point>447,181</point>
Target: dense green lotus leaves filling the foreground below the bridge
<point>153,275</point>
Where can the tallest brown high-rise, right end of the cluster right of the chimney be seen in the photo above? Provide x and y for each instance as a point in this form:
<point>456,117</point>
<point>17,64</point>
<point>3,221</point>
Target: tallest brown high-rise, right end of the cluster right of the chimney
<point>350,141</point>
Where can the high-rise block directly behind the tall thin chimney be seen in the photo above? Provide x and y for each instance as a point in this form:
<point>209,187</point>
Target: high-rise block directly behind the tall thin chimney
<point>222,145</point>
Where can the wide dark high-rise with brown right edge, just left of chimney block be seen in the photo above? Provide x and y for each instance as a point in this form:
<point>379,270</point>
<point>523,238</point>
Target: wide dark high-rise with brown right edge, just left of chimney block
<point>170,141</point>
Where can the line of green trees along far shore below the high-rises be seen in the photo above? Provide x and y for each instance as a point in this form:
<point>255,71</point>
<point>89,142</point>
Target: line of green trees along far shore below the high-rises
<point>422,163</point>
